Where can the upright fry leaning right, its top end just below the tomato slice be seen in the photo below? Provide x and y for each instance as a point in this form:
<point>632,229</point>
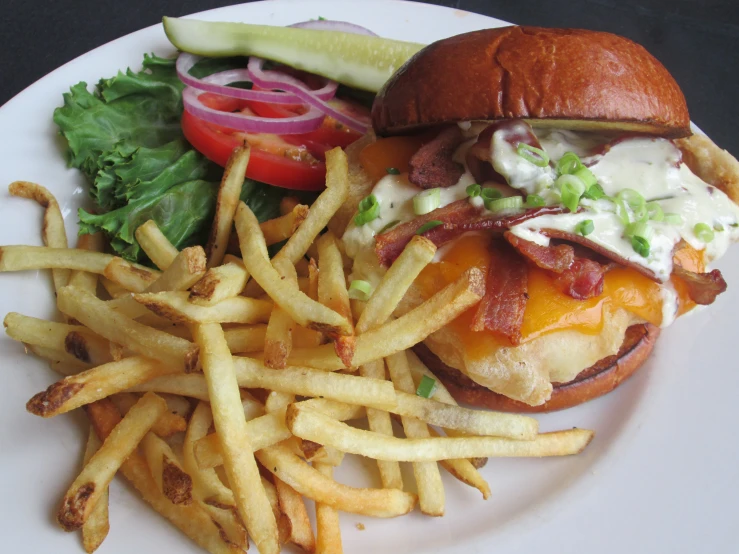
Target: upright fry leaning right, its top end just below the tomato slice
<point>322,210</point>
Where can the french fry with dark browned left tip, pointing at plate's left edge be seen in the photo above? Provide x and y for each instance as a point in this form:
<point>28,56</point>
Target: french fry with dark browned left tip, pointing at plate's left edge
<point>95,384</point>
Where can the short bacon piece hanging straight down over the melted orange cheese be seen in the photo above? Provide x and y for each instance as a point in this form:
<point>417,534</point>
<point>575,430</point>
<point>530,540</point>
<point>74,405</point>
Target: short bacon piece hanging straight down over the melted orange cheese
<point>501,309</point>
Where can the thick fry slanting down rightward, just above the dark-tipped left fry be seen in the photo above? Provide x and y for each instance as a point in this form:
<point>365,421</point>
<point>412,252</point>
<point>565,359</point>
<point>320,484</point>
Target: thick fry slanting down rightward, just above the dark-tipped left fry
<point>95,314</point>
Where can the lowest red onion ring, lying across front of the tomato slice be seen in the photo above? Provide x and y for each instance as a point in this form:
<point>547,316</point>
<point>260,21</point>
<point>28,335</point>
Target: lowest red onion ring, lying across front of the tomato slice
<point>299,124</point>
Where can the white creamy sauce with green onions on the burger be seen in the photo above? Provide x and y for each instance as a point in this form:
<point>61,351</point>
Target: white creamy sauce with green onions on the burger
<point>648,165</point>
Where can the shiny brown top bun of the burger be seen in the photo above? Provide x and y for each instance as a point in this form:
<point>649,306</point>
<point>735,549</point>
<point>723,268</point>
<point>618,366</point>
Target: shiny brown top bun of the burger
<point>565,78</point>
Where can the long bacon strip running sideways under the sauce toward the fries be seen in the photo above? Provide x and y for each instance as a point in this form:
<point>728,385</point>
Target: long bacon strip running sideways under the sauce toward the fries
<point>458,218</point>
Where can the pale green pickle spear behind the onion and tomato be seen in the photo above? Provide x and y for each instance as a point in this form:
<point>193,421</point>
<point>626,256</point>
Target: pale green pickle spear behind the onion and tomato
<point>360,61</point>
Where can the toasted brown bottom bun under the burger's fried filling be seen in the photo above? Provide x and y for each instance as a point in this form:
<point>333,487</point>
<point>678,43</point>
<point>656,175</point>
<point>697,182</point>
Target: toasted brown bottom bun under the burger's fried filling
<point>595,381</point>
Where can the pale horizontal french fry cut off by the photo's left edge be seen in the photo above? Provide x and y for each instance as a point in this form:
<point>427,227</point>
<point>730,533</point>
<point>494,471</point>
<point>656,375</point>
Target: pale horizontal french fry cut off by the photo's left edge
<point>23,258</point>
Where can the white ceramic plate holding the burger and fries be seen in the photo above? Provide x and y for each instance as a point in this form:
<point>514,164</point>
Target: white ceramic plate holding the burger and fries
<point>660,476</point>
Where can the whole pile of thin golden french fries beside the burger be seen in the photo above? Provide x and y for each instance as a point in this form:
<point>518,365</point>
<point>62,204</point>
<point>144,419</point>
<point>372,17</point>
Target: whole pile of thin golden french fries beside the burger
<point>220,386</point>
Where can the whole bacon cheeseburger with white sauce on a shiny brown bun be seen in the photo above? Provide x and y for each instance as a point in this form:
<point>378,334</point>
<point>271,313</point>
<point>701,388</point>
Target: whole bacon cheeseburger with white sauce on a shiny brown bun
<point>562,163</point>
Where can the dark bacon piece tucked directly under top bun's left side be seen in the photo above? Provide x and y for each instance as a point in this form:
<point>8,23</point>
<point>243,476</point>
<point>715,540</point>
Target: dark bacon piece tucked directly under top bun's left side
<point>432,166</point>
